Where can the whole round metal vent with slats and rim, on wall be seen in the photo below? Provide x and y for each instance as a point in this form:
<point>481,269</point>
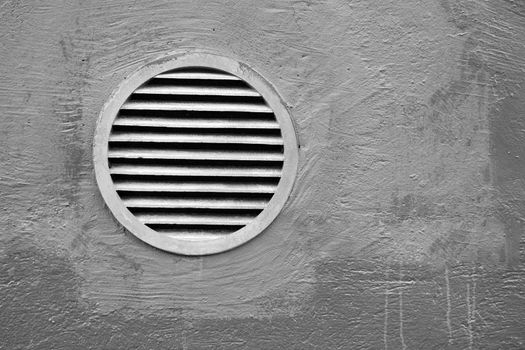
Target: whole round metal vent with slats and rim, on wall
<point>195,154</point>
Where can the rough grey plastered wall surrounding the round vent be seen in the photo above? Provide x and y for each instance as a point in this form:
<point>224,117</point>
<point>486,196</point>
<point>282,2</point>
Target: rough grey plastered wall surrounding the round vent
<point>404,229</point>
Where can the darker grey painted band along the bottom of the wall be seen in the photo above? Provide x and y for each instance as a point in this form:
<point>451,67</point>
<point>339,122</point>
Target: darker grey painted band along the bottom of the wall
<point>356,303</point>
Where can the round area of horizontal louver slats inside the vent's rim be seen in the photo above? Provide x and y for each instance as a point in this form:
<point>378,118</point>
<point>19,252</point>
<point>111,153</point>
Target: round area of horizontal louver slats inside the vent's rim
<point>195,153</point>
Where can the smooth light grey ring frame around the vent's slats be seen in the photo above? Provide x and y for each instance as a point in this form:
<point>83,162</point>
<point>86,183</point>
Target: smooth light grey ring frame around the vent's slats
<point>205,245</point>
